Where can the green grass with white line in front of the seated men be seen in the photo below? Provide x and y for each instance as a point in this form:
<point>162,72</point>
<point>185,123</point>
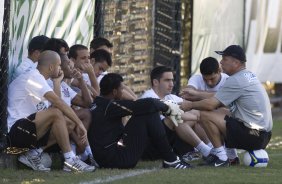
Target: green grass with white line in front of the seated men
<point>154,174</point>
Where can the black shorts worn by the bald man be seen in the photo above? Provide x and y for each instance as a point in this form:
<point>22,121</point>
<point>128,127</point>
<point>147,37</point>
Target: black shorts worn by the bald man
<point>23,134</point>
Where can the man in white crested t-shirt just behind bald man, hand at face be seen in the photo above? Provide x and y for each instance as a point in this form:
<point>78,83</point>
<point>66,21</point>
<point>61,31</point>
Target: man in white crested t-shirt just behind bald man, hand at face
<point>82,100</point>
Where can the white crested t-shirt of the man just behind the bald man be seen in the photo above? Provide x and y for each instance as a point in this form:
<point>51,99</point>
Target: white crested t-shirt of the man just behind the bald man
<point>67,93</point>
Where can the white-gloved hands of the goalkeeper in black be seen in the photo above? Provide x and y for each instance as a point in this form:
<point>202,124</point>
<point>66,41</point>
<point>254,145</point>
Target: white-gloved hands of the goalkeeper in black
<point>174,112</point>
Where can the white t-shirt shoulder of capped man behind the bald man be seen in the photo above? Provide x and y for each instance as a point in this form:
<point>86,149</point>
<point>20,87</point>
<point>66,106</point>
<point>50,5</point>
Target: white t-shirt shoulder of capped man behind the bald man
<point>25,66</point>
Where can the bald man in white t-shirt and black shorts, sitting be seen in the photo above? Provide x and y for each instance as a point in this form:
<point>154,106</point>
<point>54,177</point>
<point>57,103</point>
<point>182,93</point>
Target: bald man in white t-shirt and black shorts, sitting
<point>36,116</point>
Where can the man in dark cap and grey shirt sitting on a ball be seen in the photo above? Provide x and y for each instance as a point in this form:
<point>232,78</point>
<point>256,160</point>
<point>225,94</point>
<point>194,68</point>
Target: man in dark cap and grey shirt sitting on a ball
<point>248,125</point>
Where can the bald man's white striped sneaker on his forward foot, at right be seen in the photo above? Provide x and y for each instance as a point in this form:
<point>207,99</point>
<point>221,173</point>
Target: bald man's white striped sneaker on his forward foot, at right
<point>77,165</point>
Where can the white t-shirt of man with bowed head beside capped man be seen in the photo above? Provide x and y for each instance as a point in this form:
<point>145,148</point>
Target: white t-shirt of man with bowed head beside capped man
<point>198,83</point>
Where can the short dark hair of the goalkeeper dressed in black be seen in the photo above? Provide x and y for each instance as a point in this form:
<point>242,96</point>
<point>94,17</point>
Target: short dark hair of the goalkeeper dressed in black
<point>110,82</point>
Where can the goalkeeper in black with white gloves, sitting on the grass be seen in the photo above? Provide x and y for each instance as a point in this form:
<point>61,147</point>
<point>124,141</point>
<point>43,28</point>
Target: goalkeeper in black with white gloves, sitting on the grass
<point>118,146</point>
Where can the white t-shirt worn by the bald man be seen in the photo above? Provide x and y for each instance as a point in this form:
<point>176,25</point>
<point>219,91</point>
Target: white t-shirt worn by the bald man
<point>26,96</point>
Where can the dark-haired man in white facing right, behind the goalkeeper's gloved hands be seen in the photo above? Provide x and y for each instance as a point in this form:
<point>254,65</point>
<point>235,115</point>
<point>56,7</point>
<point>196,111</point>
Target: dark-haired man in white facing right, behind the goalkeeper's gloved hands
<point>162,84</point>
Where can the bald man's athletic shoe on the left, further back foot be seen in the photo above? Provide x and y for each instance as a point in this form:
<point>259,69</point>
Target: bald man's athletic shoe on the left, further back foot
<point>33,162</point>
